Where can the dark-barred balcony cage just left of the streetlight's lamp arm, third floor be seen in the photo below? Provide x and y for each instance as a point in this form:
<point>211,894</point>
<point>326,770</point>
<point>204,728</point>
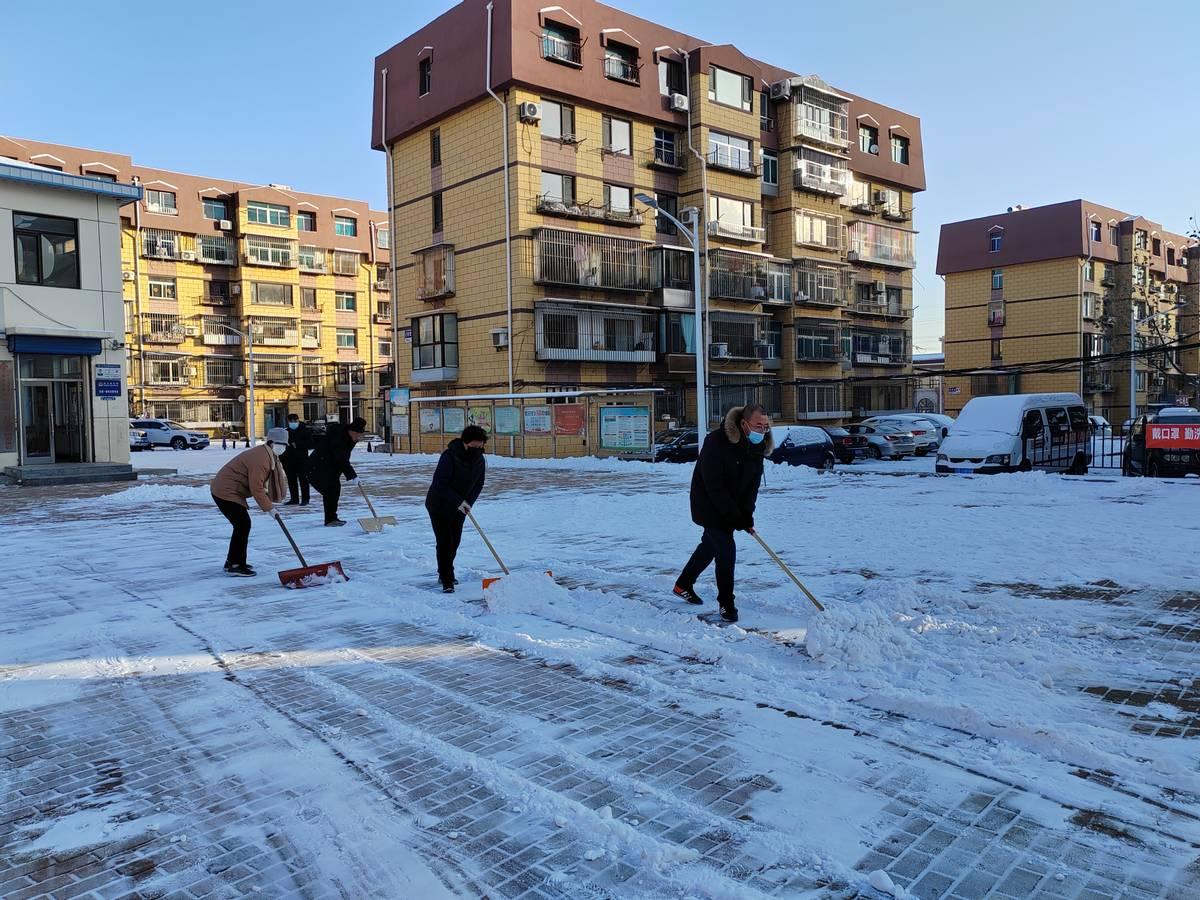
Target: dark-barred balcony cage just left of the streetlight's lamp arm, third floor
<point>591,261</point>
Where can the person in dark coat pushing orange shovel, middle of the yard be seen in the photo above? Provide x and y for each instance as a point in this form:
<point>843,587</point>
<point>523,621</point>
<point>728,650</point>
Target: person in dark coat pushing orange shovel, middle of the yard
<point>458,483</point>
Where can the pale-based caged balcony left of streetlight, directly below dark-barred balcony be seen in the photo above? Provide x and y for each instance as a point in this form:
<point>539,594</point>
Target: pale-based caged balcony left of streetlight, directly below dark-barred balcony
<point>596,333</point>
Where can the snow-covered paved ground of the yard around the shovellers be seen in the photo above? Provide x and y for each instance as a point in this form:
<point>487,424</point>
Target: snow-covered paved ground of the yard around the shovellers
<point>986,644</point>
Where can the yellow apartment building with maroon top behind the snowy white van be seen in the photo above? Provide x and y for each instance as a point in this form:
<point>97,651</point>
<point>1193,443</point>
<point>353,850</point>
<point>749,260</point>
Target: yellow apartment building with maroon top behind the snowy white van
<point>1042,299</point>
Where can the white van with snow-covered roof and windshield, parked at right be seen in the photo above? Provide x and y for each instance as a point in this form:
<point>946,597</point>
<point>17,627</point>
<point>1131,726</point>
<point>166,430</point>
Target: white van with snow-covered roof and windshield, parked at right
<point>1019,433</point>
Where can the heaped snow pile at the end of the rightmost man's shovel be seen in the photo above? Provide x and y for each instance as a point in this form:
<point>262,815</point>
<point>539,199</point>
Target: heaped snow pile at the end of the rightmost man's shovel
<point>860,635</point>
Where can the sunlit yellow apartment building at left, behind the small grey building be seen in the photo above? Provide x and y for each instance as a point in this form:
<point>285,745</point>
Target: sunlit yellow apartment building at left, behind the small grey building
<point>211,266</point>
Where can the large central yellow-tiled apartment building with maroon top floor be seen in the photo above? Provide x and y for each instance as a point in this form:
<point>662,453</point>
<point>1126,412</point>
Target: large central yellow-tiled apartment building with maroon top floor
<point>806,197</point>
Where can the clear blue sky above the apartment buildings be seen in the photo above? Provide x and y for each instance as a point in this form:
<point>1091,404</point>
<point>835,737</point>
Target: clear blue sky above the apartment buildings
<point>1021,101</point>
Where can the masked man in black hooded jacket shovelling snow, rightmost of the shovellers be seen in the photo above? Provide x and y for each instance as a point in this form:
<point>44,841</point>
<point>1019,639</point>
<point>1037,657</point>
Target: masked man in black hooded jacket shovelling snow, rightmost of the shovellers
<point>724,494</point>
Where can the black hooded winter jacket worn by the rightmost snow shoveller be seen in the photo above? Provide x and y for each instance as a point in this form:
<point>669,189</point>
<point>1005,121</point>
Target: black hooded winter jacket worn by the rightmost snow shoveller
<point>725,483</point>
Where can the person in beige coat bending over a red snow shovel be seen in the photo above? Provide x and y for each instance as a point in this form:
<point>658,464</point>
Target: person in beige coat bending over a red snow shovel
<point>255,473</point>
